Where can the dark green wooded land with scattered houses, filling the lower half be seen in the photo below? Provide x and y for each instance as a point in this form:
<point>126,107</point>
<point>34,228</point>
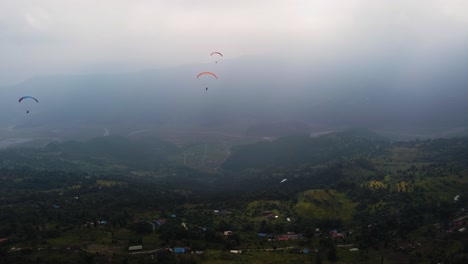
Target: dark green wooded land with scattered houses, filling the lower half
<point>344,197</point>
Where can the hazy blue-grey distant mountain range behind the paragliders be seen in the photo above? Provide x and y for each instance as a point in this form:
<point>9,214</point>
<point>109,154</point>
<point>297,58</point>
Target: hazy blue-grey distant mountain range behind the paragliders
<point>260,91</point>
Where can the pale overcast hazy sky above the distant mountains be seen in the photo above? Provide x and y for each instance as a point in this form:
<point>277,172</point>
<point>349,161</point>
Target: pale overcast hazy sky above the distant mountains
<point>82,36</point>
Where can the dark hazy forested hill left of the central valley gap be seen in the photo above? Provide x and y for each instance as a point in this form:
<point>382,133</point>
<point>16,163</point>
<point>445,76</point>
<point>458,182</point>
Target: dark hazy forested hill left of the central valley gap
<point>112,153</point>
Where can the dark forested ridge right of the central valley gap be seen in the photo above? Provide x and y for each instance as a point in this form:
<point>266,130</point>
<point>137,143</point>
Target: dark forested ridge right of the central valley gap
<point>301,149</point>
